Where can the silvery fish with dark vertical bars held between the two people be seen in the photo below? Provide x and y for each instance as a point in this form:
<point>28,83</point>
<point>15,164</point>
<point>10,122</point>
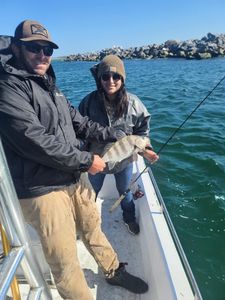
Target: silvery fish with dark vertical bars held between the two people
<point>123,152</point>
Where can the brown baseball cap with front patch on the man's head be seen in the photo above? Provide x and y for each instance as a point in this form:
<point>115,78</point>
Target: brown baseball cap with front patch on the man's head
<point>30,30</point>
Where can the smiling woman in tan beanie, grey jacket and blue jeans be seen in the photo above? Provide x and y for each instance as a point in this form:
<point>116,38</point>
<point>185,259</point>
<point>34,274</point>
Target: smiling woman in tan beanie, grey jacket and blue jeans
<point>112,105</point>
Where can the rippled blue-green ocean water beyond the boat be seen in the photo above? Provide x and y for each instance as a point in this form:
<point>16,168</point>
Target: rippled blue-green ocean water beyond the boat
<point>191,170</point>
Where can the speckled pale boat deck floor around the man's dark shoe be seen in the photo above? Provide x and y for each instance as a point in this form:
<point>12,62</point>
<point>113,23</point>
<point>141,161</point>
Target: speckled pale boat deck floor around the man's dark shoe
<point>127,248</point>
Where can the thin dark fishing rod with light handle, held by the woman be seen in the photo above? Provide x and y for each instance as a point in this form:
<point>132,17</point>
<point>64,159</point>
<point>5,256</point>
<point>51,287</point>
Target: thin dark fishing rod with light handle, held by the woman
<point>164,145</point>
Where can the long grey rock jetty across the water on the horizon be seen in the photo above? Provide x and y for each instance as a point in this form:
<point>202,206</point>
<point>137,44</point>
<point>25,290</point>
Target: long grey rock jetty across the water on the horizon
<point>211,45</point>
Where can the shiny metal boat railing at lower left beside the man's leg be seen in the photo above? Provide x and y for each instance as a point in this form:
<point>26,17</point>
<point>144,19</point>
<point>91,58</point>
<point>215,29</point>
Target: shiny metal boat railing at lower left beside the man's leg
<point>12,221</point>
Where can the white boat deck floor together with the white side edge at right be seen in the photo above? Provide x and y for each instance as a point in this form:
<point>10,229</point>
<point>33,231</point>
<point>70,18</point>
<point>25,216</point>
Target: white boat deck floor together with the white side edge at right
<point>151,255</point>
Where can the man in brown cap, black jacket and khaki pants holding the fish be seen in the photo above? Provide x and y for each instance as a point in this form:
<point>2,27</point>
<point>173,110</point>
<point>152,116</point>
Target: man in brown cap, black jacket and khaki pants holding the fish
<point>40,132</point>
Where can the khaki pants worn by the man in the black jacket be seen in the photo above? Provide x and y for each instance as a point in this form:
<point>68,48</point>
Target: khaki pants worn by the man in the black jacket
<point>56,216</point>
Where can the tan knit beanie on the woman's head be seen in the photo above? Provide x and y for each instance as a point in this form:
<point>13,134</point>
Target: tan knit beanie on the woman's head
<point>111,63</point>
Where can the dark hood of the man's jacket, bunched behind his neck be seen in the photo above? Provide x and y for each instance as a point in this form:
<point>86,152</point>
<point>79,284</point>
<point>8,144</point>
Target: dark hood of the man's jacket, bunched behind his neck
<point>6,60</point>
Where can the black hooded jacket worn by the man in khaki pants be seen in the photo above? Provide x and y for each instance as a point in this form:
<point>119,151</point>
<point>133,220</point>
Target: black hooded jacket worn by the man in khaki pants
<point>40,130</point>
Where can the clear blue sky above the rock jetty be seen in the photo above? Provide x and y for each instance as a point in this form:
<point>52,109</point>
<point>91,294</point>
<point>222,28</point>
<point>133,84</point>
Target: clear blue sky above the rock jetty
<point>80,26</point>
